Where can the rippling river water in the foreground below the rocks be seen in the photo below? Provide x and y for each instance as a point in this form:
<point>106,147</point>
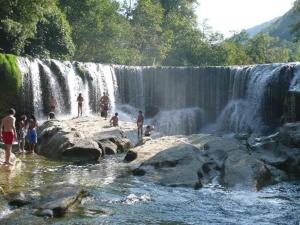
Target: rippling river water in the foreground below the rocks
<point>121,199</point>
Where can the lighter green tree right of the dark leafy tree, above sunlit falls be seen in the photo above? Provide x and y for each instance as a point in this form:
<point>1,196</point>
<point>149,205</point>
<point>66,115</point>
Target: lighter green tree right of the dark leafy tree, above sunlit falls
<point>100,32</point>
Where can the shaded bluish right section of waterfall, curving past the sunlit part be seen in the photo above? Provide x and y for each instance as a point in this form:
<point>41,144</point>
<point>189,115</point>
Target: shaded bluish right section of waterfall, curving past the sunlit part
<point>237,98</point>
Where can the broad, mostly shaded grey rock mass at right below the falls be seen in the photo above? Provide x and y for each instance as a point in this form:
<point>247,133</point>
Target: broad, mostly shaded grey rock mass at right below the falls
<point>196,160</point>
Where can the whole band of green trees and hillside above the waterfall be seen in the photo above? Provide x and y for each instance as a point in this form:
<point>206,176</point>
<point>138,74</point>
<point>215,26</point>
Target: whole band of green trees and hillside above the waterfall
<point>148,32</point>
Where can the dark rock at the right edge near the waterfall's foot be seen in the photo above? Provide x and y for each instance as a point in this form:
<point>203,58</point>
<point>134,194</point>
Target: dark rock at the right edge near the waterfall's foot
<point>290,134</point>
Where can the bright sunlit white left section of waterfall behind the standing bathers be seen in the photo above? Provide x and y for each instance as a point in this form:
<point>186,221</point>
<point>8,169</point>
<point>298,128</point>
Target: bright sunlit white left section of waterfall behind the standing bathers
<point>65,80</point>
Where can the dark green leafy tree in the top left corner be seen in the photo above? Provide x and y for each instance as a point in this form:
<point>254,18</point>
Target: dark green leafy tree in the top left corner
<point>35,27</point>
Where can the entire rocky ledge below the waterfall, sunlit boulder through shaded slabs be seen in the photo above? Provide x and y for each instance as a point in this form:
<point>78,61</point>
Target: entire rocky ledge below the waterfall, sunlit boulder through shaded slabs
<point>189,161</point>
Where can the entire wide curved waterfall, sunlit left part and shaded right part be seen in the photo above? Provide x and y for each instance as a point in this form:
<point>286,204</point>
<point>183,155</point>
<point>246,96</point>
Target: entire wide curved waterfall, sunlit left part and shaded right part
<point>176,100</point>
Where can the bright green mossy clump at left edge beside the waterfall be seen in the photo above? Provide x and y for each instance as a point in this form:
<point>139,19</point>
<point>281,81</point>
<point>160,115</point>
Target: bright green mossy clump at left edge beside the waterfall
<point>10,82</point>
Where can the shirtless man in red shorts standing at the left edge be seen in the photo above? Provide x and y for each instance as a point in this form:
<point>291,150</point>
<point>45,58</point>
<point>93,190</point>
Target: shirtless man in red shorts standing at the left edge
<point>8,133</point>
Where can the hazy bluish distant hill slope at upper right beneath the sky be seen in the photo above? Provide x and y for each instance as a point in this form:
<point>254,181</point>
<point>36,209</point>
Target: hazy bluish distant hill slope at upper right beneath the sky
<point>279,27</point>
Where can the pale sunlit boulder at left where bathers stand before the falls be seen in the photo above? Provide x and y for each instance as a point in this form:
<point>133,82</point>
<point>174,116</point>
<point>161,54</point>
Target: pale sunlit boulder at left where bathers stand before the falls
<point>61,140</point>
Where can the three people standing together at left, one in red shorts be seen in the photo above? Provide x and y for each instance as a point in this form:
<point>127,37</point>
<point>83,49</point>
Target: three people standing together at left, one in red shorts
<point>26,133</point>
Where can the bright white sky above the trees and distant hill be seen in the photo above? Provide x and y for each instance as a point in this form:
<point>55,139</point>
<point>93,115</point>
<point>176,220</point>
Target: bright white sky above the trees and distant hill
<point>234,15</point>
